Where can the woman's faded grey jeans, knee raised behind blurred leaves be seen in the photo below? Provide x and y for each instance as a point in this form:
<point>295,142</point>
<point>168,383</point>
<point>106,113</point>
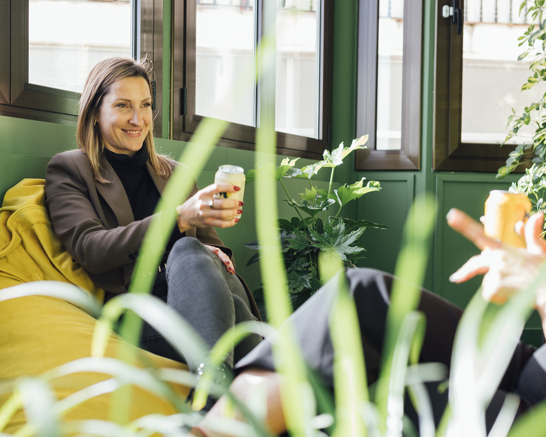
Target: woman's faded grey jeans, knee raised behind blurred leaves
<point>212,300</point>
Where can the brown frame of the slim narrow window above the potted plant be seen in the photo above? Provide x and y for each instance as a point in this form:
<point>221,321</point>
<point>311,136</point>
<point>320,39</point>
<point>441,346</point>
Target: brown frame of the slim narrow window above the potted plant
<point>408,157</point>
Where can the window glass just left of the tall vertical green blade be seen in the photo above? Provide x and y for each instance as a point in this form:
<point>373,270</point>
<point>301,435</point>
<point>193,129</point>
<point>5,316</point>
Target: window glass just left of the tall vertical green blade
<point>225,40</point>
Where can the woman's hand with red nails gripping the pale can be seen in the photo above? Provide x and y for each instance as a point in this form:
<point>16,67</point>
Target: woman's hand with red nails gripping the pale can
<point>202,209</point>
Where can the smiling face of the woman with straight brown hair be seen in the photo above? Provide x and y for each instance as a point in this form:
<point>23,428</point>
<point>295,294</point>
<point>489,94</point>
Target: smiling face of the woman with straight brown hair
<point>125,115</point>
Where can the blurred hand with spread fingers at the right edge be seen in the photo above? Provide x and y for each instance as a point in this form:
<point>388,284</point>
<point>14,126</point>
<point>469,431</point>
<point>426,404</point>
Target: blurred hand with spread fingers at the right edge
<point>506,268</point>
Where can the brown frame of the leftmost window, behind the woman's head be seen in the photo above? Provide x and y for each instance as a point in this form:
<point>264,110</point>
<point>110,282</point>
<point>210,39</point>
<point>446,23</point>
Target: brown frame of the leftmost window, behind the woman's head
<point>19,98</point>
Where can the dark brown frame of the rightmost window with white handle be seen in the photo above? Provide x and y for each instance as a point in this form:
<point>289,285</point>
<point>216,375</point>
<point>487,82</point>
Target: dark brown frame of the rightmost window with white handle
<point>449,152</point>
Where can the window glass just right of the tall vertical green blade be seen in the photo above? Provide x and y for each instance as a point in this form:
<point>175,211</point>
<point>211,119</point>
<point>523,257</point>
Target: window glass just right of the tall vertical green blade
<point>297,89</point>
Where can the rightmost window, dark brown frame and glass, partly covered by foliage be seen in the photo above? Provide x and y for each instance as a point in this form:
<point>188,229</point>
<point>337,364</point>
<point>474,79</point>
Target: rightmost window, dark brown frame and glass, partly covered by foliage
<point>478,82</point>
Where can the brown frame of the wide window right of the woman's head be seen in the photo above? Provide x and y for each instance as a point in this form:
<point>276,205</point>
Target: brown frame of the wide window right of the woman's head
<point>184,120</point>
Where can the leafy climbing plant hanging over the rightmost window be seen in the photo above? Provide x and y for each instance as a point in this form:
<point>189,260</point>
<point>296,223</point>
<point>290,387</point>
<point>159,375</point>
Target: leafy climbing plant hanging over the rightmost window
<point>533,183</point>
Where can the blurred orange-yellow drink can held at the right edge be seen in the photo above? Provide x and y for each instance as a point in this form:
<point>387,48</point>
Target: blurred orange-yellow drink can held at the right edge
<point>502,211</point>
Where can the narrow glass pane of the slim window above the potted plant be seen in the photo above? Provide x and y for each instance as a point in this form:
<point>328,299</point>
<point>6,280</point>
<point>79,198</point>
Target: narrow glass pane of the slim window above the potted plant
<point>389,74</point>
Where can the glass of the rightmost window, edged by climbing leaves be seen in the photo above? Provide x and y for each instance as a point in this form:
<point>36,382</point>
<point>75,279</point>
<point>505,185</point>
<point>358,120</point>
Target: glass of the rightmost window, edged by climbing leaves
<point>492,75</point>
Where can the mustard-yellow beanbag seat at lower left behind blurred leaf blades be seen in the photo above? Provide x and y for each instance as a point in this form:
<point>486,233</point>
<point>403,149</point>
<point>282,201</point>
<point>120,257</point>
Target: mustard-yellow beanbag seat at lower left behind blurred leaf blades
<point>40,333</point>
